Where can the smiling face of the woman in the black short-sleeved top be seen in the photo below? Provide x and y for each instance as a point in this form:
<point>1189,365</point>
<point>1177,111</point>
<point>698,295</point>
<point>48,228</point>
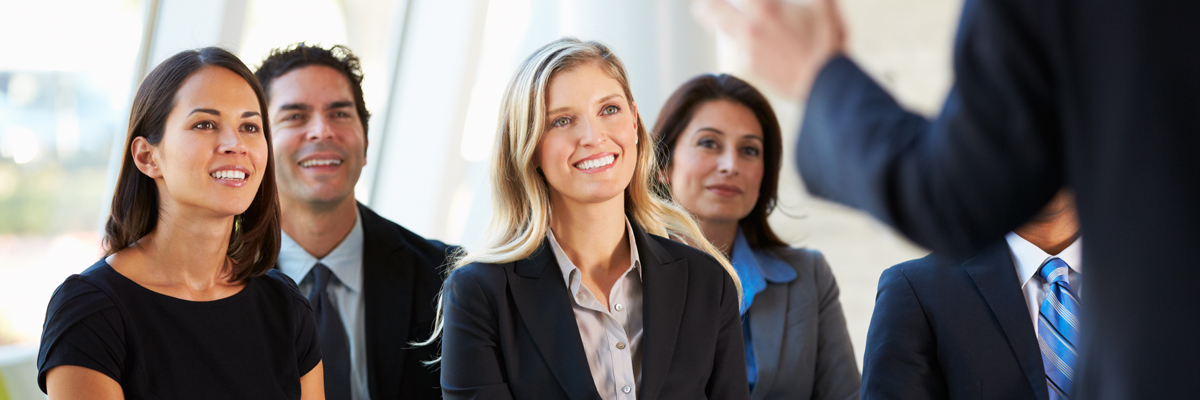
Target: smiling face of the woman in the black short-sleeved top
<point>213,153</point>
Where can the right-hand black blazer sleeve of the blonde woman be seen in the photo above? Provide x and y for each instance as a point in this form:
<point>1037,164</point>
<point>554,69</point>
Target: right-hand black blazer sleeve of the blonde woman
<point>729,379</point>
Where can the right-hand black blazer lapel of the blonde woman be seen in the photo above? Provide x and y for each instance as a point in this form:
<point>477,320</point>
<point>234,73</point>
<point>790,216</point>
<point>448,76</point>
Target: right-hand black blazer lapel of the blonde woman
<point>664,295</point>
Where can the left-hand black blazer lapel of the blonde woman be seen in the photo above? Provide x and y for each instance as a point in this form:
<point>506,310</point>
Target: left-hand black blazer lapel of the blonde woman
<point>545,307</point>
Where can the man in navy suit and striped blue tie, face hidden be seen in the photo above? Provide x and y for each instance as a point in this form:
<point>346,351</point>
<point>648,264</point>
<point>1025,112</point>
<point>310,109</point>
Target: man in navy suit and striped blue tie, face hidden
<point>947,329</point>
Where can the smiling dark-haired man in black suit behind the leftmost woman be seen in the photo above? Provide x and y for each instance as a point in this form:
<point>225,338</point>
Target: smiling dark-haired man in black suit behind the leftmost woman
<point>371,283</point>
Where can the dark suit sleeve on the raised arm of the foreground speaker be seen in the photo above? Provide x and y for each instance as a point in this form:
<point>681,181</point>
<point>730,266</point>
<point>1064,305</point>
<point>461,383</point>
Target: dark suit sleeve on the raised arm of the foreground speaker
<point>959,183</point>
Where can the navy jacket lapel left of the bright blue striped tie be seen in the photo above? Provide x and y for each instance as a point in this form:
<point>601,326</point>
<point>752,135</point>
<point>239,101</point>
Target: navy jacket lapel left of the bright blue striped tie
<point>995,277</point>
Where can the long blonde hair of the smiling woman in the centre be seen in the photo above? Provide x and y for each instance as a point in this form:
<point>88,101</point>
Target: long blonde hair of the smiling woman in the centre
<point>521,212</point>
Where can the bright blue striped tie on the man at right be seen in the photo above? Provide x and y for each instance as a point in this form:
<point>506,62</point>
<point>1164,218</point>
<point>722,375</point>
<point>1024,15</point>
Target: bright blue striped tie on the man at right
<point>1059,330</point>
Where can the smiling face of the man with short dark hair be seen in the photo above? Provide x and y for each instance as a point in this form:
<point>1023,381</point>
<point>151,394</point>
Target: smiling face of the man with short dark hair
<point>319,136</point>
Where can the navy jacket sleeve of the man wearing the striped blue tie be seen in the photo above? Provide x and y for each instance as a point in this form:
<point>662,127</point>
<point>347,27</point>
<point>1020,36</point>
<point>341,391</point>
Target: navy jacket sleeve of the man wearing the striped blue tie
<point>902,353</point>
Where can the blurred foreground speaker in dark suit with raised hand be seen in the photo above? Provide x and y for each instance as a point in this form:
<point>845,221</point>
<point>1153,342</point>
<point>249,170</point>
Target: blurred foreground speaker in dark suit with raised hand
<point>1099,94</point>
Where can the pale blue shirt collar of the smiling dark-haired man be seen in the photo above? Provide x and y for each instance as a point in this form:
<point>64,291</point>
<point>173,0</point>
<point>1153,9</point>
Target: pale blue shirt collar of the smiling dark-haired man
<point>346,260</point>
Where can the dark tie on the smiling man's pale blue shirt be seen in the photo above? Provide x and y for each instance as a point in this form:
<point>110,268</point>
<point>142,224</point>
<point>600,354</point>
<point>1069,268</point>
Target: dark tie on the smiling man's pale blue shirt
<point>335,347</point>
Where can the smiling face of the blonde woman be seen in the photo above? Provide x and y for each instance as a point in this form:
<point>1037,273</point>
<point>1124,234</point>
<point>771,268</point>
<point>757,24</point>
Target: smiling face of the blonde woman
<point>589,151</point>
